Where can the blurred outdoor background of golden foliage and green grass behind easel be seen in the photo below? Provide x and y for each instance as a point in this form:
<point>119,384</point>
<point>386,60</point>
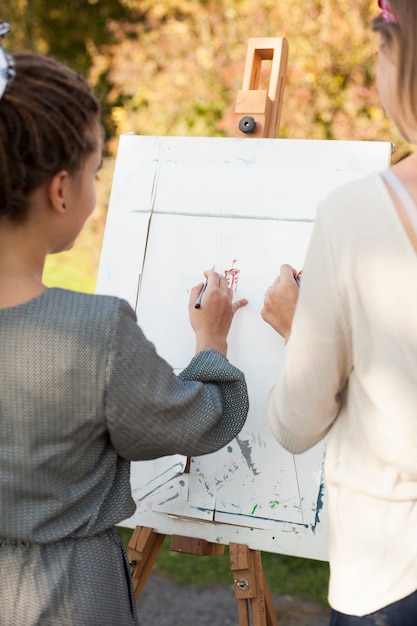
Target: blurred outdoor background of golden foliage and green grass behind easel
<point>174,67</point>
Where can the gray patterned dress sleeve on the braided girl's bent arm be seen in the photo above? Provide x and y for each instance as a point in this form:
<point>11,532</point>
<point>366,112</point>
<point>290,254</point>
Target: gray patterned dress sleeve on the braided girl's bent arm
<point>151,412</point>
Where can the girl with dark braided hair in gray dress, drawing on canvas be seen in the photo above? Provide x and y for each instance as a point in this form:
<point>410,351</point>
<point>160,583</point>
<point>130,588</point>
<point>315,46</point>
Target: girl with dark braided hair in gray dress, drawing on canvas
<point>82,392</point>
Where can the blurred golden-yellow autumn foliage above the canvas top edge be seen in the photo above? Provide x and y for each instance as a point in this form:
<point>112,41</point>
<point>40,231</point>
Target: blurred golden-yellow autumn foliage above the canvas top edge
<point>181,73</point>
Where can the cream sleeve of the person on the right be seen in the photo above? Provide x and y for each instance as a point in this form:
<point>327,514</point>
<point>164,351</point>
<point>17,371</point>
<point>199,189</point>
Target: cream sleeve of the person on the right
<point>307,396</point>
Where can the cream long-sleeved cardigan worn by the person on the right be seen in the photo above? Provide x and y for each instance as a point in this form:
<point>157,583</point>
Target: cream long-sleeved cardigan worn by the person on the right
<point>351,374</point>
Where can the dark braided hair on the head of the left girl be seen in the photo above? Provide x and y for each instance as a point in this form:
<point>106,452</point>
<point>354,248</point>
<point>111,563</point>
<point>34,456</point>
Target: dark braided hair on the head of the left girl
<point>48,122</point>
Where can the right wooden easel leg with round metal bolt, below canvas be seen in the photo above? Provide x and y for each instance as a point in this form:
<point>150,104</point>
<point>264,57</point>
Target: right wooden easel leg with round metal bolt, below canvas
<point>251,589</point>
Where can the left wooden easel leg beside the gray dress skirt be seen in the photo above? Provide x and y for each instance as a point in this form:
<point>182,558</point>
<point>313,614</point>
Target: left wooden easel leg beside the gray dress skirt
<point>142,550</point>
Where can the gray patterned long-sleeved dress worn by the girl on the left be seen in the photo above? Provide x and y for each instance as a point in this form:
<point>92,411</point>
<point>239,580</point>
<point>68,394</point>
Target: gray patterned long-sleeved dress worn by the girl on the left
<point>83,393</point>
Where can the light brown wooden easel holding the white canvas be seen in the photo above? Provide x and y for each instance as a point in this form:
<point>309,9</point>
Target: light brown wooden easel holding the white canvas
<point>257,114</point>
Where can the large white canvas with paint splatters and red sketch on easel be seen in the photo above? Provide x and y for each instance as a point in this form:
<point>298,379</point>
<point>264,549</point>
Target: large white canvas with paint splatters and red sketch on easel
<point>179,206</point>
